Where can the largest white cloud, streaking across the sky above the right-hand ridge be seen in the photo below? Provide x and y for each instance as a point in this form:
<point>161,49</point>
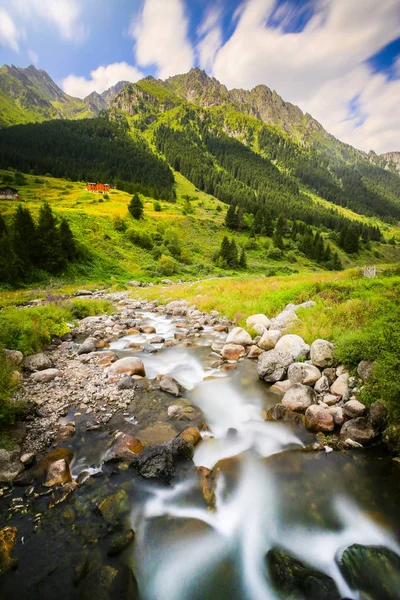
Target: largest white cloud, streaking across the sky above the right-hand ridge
<point>322,68</point>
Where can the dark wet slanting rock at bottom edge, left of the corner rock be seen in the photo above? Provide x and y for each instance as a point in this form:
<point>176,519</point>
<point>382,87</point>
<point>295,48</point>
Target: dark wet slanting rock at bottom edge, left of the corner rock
<point>296,579</point>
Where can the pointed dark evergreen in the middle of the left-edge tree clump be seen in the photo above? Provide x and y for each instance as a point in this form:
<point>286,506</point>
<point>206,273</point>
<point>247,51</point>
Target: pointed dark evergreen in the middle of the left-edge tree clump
<point>50,256</point>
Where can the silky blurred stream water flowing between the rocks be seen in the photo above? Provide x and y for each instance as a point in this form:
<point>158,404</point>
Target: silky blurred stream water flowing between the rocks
<point>270,493</point>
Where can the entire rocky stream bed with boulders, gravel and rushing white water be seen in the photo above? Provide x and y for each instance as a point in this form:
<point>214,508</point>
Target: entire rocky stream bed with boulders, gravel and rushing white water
<point>167,455</point>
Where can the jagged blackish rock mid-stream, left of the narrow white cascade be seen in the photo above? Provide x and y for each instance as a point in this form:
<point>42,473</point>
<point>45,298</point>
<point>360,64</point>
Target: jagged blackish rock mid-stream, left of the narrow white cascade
<point>160,461</point>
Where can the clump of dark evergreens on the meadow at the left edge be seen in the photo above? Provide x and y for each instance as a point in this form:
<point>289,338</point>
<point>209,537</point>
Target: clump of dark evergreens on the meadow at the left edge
<point>27,247</point>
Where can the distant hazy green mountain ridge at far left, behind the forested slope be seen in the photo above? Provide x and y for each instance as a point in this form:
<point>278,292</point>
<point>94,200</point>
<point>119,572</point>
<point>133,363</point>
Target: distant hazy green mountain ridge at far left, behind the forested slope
<point>30,95</point>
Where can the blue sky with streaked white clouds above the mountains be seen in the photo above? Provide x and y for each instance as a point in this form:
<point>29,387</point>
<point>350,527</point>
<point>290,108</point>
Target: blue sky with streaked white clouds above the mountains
<point>338,60</point>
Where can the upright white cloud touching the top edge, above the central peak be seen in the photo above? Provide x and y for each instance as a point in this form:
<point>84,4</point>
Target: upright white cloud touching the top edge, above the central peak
<point>160,33</point>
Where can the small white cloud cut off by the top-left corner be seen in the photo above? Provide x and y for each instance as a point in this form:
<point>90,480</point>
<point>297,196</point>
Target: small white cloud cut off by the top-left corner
<point>65,15</point>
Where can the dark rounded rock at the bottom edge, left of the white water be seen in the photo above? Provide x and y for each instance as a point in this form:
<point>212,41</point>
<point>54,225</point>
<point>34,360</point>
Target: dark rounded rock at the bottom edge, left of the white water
<point>109,583</point>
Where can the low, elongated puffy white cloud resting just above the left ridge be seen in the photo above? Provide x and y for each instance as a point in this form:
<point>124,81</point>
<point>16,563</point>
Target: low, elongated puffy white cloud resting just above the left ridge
<point>100,79</point>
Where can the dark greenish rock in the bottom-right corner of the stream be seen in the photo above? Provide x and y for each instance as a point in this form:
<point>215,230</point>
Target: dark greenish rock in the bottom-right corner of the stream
<point>373,570</point>
